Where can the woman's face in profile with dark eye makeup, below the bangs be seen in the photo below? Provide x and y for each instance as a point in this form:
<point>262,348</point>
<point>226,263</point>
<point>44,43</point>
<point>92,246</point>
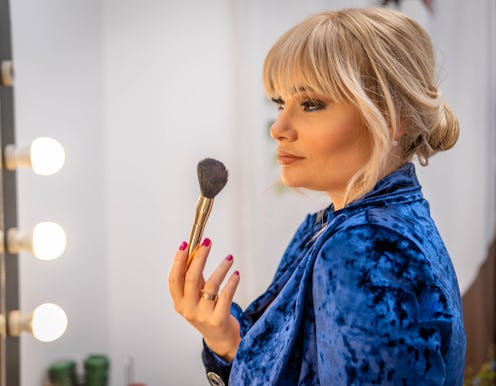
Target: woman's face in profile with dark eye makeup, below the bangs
<point>321,143</point>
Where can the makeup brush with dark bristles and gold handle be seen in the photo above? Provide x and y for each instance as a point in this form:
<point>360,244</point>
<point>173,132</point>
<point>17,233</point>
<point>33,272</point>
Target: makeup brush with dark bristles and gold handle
<point>212,176</point>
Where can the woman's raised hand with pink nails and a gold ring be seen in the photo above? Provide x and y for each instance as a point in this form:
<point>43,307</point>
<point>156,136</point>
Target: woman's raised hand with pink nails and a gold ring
<point>212,318</point>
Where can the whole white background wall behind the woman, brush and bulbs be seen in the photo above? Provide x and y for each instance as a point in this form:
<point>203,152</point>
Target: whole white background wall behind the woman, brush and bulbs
<point>138,93</point>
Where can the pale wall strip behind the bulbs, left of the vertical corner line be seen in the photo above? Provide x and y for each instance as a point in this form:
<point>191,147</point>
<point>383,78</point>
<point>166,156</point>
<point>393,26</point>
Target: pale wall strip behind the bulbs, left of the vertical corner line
<point>57,54</point>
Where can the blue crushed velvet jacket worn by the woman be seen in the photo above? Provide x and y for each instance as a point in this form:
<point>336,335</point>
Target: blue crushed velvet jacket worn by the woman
<point>365,295</point>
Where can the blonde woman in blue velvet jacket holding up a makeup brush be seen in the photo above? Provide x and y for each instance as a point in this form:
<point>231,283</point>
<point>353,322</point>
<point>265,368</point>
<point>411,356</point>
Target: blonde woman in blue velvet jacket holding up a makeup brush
<point>365,293</point>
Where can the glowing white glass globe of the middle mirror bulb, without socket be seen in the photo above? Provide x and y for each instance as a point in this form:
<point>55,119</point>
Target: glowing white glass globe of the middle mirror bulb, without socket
<point>48,240</point>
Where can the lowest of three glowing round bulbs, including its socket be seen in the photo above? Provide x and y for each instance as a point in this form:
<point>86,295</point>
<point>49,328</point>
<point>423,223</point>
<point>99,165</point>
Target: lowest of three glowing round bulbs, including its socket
<point>47,322</point>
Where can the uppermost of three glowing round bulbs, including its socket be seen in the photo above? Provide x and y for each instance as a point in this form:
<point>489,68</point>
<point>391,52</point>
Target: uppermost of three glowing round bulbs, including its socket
<point>45,156</point>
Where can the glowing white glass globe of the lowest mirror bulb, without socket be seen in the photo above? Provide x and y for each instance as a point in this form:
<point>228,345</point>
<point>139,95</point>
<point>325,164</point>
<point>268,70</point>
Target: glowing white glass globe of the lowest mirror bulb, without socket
<point>49,322</point>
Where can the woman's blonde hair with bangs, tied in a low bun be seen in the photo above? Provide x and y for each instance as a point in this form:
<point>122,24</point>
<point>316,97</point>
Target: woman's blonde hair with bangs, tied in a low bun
<point>380,61</point>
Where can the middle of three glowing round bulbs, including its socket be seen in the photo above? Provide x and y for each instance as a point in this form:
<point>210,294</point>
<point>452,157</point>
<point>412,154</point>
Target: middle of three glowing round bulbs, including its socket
<point>46,240</point>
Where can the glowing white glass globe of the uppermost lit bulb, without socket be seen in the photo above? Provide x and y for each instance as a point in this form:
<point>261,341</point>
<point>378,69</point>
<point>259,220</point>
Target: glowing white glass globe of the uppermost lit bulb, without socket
<point>47,156</point>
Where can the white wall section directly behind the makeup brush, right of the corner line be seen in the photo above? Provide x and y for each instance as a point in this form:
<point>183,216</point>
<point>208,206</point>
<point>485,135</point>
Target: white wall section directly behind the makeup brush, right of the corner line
<point>167,80</point>
